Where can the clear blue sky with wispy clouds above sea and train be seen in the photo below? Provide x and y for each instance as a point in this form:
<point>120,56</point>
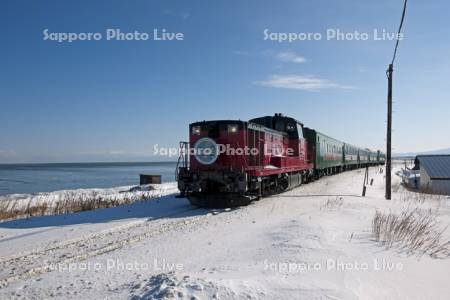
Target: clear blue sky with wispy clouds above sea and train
<point>114,100</point>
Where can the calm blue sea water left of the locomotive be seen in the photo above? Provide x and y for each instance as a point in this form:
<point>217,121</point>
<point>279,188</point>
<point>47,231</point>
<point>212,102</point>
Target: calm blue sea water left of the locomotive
<point>34,178</point>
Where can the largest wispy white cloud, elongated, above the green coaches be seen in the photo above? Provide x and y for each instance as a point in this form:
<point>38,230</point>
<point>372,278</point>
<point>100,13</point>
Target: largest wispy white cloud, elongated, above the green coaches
<point>301,82</point>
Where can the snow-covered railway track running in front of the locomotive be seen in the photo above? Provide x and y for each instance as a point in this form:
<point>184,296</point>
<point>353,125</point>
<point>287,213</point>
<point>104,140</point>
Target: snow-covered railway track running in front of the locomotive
<point>39,261</point>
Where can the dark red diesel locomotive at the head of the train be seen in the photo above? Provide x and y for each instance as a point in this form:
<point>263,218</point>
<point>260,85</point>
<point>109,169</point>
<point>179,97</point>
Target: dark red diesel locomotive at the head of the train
<point>230,163</point>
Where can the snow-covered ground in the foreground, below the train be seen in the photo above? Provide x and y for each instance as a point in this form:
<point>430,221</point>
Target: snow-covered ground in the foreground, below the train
<point>313,242</point>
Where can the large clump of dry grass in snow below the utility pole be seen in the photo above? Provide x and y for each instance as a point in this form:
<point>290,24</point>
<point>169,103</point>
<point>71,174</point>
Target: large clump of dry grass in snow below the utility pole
<point>413,230</point>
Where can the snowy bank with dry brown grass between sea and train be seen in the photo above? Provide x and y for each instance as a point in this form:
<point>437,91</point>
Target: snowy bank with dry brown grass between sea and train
<point>68,201</point>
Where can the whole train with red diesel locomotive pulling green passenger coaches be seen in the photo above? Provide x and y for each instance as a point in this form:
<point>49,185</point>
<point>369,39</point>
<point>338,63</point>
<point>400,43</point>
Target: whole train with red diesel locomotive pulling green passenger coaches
<point>229,163</point>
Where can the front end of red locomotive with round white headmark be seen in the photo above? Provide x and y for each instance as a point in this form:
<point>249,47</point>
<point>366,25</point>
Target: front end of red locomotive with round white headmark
<point>216,159</point>
